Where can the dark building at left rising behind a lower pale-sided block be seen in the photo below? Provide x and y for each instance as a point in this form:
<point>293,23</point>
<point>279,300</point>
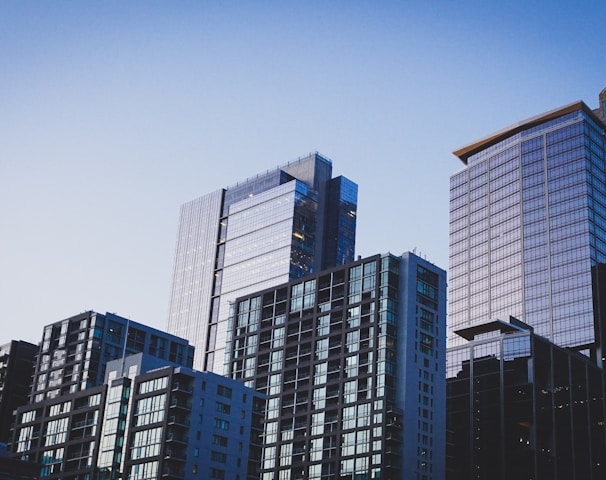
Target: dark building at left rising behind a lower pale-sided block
<point>75,351</point>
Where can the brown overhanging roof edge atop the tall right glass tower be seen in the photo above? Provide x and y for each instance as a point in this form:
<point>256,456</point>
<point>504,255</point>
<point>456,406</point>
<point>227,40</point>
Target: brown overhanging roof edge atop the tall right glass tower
<point>465,152</point>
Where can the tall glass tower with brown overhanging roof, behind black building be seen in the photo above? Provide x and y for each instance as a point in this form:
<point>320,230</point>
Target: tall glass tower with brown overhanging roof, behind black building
<point>528,229</point>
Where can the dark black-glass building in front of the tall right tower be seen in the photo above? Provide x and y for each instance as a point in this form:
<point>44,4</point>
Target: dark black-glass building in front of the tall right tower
<point>521,407</point>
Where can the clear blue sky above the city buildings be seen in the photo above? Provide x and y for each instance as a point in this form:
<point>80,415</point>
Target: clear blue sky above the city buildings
<point>113,114</point>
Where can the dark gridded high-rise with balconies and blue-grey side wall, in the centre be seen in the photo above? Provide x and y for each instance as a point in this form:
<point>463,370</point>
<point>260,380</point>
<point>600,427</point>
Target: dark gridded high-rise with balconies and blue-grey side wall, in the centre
<point>352,361</point>
